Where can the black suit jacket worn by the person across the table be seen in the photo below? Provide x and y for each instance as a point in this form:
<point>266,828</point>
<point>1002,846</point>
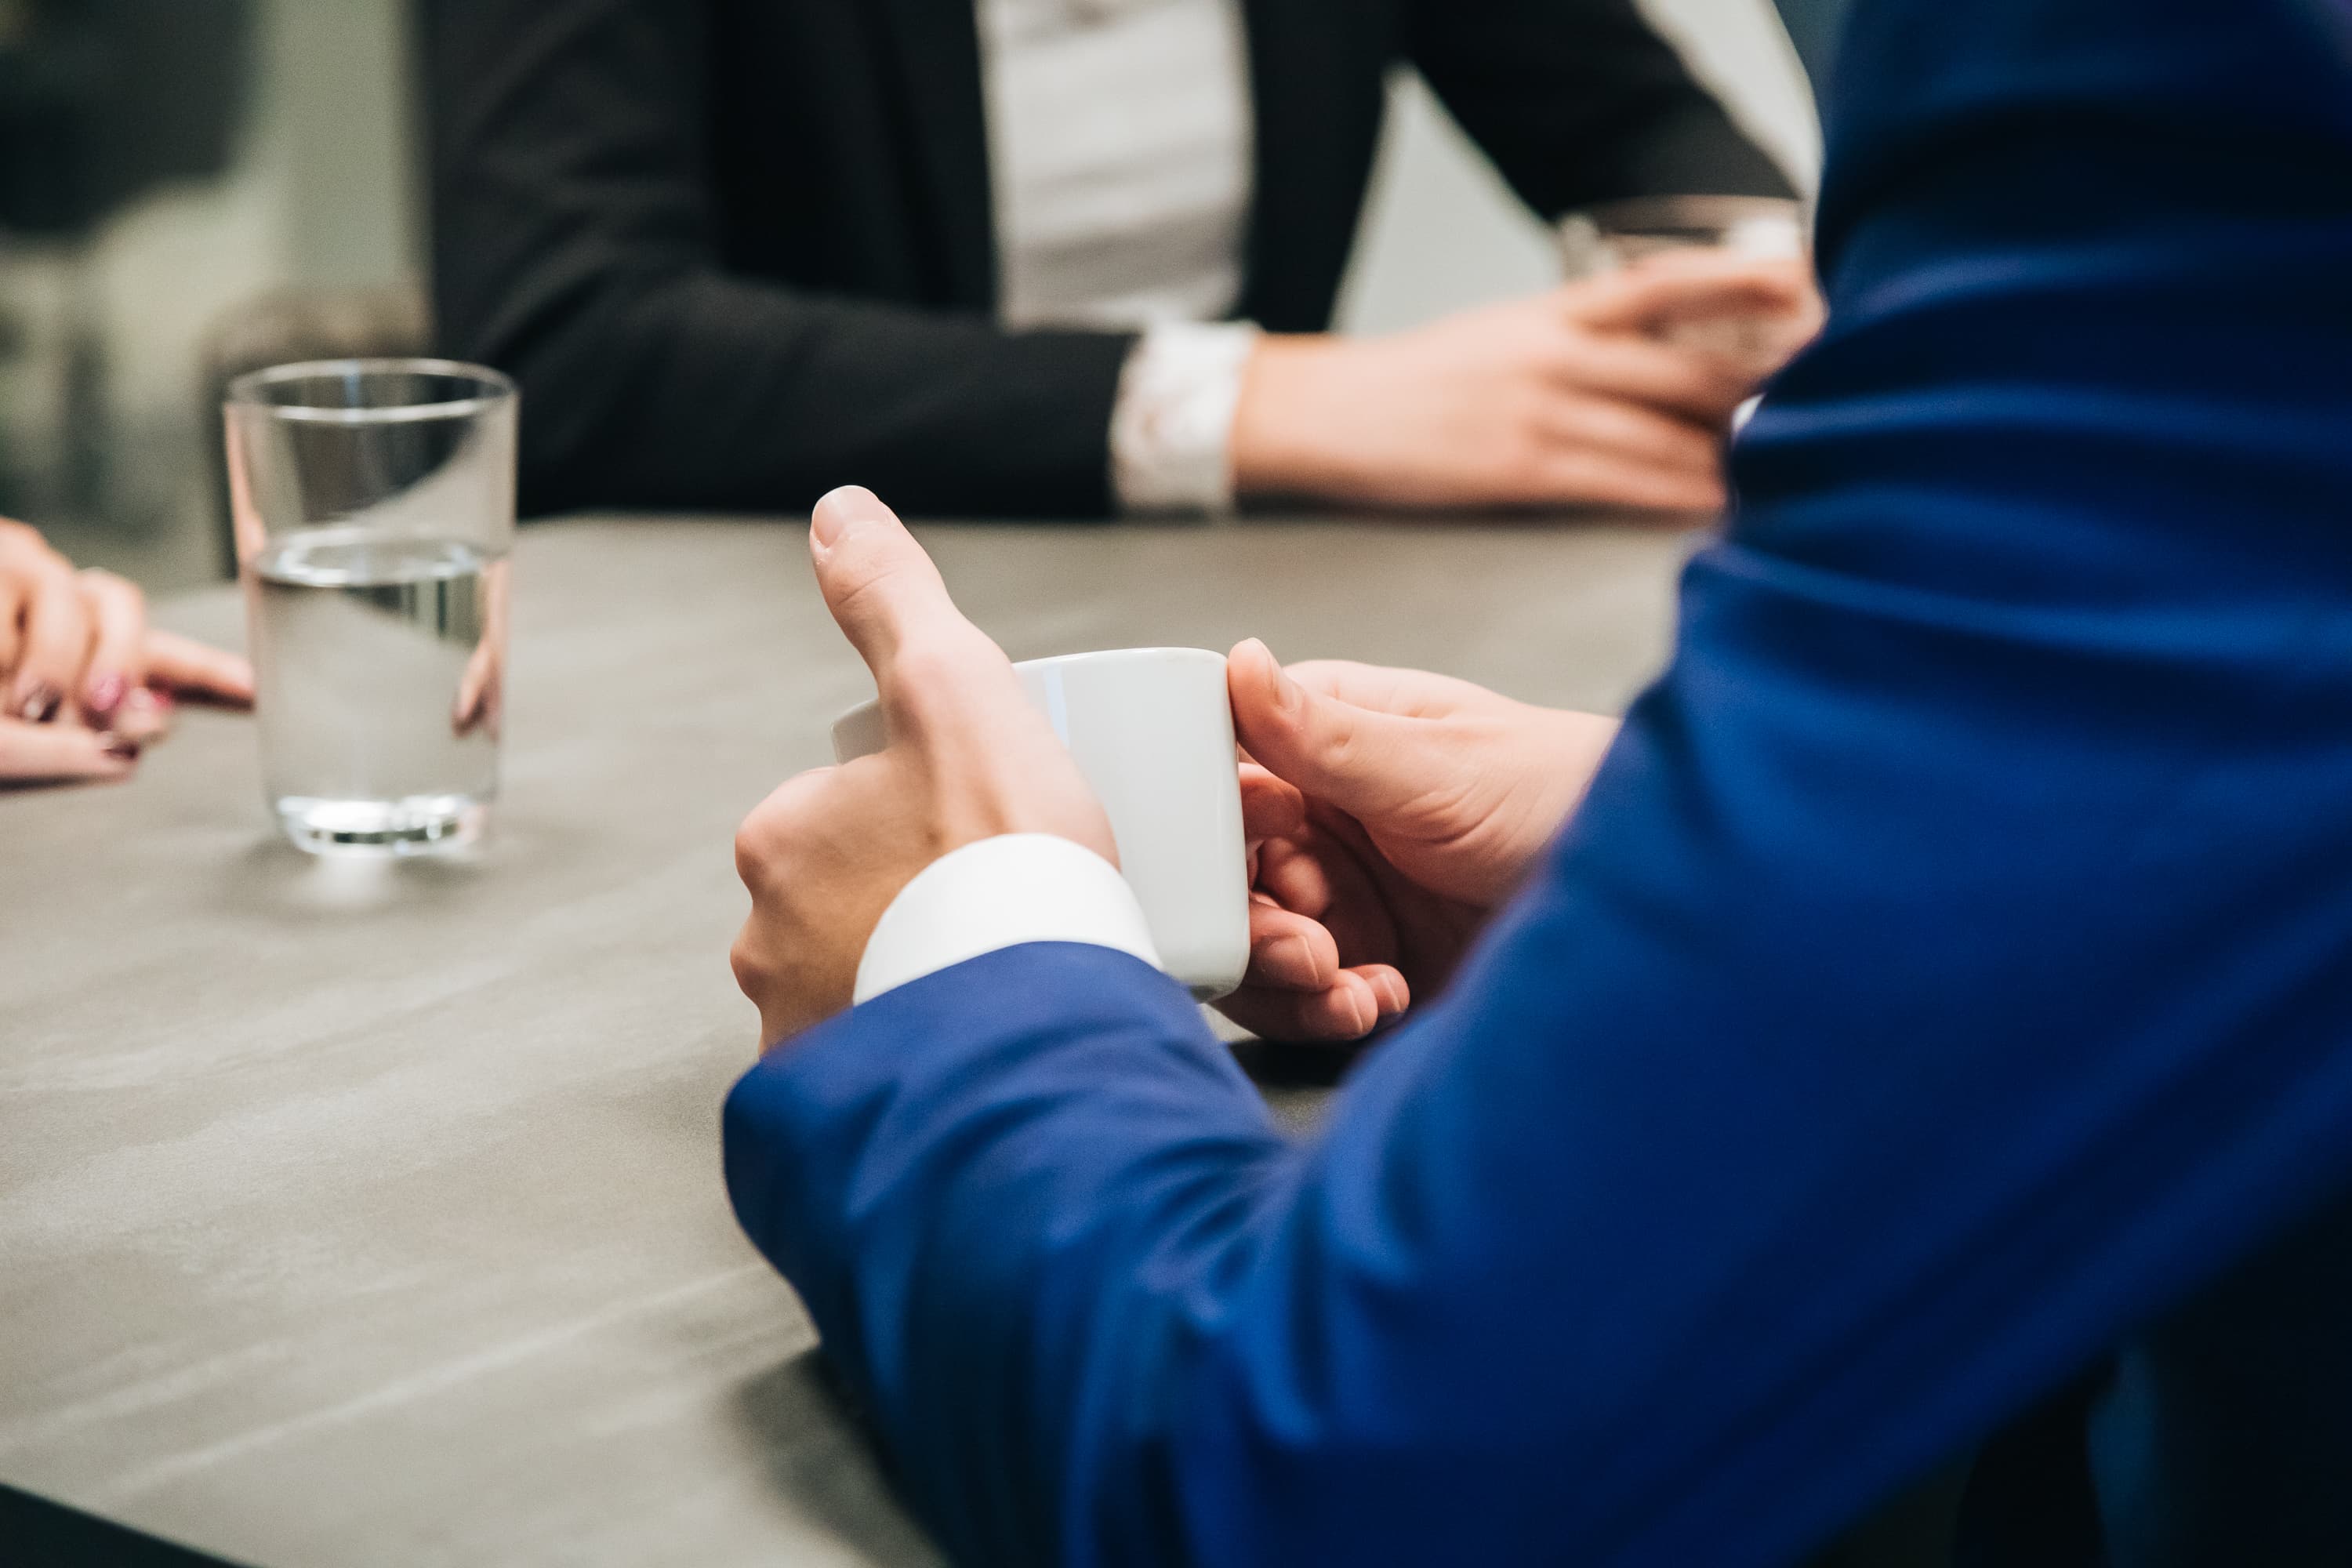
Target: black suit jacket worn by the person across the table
<point>742,250</point>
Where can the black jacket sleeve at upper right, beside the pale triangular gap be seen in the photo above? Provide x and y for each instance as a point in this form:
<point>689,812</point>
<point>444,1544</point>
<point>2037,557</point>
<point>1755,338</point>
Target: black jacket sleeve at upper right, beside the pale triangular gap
<point>1582,102</point>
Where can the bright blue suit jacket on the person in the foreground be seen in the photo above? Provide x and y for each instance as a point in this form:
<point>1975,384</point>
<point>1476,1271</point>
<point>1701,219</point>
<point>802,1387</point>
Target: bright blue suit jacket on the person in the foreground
<point>1949,974</point>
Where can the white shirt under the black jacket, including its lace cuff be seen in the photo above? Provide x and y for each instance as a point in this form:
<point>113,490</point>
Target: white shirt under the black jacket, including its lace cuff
<point>1121,161</point>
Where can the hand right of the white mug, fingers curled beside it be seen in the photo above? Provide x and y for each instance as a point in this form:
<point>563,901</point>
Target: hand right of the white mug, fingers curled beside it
<point>1426,800</point>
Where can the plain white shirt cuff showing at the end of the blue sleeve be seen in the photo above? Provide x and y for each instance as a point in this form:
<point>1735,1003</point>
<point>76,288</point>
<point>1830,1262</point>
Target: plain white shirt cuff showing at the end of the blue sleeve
<point>1020,887</point>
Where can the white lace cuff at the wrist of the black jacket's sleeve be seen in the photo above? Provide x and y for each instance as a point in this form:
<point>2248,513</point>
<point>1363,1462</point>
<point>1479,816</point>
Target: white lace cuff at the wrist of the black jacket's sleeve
<point>1172,422</point>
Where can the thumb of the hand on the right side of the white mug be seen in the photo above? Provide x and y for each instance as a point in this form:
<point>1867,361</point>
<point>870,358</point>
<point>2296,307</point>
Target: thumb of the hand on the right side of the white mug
<point>1370,765</point>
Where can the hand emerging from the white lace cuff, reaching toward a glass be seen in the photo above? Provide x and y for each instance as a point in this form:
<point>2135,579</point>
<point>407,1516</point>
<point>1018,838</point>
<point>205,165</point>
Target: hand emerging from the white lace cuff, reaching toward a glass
<point>1572,398</point>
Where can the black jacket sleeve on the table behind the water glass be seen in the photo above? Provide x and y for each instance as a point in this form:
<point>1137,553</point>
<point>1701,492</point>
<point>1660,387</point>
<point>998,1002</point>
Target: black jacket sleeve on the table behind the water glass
<point>575,246</point>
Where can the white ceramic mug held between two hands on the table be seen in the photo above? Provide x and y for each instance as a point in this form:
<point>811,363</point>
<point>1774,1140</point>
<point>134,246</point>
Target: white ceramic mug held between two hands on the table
<point>1154,735</point>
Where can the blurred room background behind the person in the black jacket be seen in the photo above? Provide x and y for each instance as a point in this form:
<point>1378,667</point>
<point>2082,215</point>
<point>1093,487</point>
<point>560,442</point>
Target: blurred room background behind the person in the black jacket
<point>196,187</point>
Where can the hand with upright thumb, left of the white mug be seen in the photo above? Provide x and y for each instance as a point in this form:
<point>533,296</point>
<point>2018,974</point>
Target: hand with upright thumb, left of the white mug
<point>968,758</point>
